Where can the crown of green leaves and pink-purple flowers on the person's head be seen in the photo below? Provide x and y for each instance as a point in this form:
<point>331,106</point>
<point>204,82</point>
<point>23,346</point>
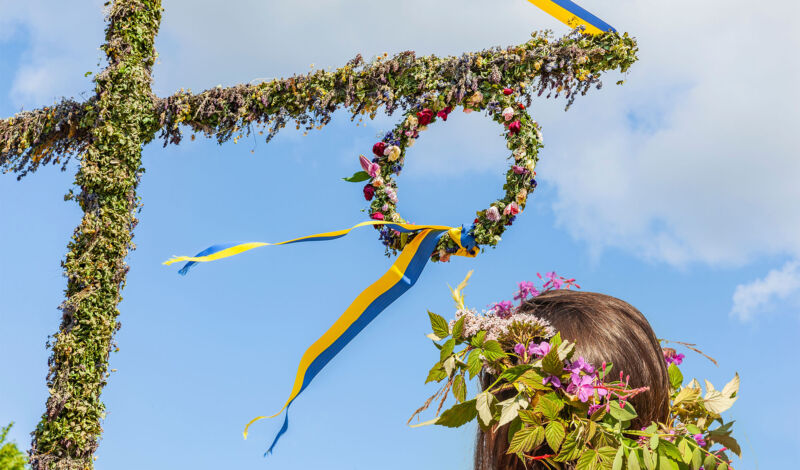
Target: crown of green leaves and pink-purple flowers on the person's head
<point>562,409</point>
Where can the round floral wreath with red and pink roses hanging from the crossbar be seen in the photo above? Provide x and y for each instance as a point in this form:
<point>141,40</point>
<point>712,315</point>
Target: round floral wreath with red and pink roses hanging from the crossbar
<point>523,138</point>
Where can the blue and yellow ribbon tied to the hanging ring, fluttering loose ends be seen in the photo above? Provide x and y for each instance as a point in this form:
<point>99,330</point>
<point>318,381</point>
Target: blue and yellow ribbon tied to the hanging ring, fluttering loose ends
<point>369,304</point>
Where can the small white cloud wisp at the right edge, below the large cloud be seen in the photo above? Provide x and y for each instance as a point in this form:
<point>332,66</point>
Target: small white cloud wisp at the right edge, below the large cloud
<point>757,296</point>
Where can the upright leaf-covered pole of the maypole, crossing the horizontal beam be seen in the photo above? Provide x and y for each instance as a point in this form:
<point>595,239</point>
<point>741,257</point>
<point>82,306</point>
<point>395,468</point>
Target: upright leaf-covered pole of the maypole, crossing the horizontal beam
<point>121,121</point>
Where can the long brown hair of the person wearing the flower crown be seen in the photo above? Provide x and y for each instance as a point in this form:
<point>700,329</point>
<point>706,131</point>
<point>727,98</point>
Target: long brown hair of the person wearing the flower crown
<point>604,328</point>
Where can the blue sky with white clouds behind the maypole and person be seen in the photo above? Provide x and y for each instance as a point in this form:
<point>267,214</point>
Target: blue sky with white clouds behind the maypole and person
<point>675,192</point>
